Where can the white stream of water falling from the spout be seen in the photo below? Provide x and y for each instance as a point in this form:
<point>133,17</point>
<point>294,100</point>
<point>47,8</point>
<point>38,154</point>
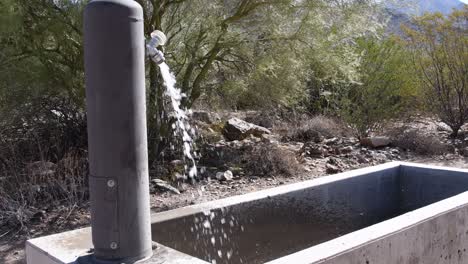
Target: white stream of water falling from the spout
<point>181,126</point>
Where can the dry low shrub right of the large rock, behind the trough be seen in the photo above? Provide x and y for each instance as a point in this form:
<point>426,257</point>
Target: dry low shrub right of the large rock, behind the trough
<point>310,129</point>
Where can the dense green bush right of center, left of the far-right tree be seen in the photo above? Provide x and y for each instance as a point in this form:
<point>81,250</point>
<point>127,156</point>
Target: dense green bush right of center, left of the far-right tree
<point>385,85</point>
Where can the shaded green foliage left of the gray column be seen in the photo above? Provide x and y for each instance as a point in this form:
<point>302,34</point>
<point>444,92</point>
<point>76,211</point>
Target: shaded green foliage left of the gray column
<point>41,92</point>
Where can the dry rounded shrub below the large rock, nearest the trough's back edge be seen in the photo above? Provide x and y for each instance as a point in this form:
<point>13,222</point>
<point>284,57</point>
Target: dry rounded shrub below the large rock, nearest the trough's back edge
<point>270,160</point>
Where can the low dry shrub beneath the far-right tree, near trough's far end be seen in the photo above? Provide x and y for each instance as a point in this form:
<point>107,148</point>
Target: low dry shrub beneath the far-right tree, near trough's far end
<point>417,142</point>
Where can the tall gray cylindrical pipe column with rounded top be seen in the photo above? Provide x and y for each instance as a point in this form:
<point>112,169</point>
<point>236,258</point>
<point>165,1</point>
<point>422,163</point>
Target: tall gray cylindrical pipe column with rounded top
<point>114,47</point>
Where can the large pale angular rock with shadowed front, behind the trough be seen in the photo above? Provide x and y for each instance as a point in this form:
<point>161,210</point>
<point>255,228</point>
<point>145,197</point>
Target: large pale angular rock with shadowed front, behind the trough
<point>237,129</point>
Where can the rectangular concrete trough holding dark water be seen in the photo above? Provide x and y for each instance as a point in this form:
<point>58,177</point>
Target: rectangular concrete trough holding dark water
<point>392,213</point>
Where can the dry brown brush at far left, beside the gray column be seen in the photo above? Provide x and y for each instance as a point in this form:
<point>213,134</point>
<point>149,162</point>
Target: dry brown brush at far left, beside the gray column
<point>40,186</point>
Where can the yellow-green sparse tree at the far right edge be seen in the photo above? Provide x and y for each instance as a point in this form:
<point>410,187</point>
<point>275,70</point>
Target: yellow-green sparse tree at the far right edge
<point>439,47</point>
